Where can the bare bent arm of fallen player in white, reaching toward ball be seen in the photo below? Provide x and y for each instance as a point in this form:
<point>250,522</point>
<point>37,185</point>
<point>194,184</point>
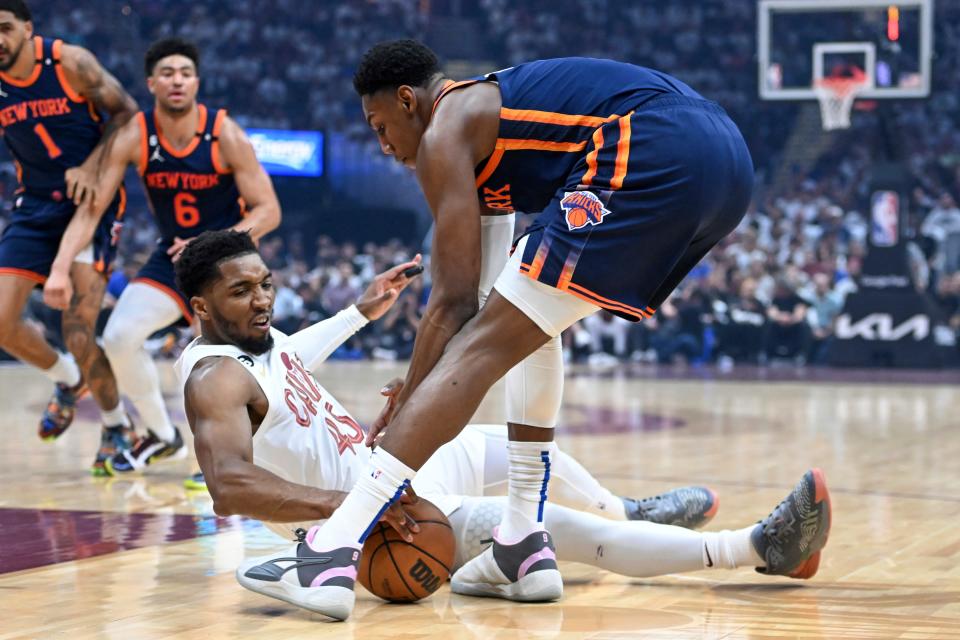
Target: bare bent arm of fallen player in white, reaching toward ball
<point>219,395</point>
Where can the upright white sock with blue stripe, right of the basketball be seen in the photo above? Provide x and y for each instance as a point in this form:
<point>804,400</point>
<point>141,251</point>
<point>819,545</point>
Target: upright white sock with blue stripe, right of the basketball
<point>528,477</point>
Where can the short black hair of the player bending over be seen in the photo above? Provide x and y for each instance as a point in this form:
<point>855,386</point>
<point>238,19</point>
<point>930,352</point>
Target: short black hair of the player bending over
<point>389,65</point>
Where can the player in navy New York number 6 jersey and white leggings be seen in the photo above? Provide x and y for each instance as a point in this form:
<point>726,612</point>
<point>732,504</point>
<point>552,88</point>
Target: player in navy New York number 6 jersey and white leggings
<point>199,172</point>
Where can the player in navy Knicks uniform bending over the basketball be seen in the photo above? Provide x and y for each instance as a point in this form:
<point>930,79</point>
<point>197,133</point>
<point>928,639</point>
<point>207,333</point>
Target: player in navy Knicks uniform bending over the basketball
<point>635,176</point>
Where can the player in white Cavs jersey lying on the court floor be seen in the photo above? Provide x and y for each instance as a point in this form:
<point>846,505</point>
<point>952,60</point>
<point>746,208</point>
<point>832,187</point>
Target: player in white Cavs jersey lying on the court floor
<point>275,445</point>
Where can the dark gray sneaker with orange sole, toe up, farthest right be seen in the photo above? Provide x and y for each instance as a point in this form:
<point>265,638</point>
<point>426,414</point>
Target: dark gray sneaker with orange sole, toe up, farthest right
<point>791,537</point>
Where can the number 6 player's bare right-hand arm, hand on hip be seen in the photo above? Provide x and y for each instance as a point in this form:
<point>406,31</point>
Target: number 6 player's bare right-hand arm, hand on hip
<point>256,189</point>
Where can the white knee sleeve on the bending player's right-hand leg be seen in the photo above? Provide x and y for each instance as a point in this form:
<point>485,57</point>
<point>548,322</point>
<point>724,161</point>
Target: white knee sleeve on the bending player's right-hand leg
<point>535,387</point>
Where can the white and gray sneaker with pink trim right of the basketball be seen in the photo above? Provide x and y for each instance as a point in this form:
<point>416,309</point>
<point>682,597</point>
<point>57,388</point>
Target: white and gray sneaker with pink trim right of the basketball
<point>524,572</point>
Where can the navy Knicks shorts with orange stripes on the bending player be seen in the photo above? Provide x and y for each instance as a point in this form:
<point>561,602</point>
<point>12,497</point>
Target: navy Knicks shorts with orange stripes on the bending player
<point>656,191</point>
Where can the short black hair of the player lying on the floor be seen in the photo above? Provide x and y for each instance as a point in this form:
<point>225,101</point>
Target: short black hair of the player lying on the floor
<point>199,264</point>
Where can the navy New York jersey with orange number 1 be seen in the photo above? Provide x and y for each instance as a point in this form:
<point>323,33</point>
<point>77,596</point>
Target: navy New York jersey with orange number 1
<point>47,125</point>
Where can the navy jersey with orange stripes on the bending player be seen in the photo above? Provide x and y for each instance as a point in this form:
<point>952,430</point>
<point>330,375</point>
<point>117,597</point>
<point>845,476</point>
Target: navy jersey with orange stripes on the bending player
<point>551,109</point>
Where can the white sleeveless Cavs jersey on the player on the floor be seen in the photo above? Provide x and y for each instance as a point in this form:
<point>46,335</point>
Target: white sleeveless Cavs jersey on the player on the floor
<point>306,437</point>
